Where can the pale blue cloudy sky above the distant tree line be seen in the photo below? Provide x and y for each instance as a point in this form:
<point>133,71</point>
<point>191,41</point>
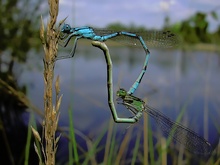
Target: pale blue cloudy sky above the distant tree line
<point>147,13</point>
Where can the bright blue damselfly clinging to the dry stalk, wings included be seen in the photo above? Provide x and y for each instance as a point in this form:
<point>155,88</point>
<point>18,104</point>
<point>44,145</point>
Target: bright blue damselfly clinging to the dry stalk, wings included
<point>155,38</point>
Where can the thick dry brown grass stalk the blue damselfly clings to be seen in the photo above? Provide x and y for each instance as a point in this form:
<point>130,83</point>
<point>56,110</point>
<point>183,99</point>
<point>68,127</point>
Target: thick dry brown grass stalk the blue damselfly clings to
<point>51,114</point>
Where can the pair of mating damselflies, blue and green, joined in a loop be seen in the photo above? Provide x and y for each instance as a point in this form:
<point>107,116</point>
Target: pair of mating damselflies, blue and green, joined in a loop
<point>179,133</point>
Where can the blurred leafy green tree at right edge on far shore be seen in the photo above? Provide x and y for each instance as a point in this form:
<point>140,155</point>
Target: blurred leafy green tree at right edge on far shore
<point>195,29</point>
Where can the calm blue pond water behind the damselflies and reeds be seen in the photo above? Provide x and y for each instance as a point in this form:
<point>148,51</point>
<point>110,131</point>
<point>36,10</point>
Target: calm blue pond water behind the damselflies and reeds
<point>175,81</point>
